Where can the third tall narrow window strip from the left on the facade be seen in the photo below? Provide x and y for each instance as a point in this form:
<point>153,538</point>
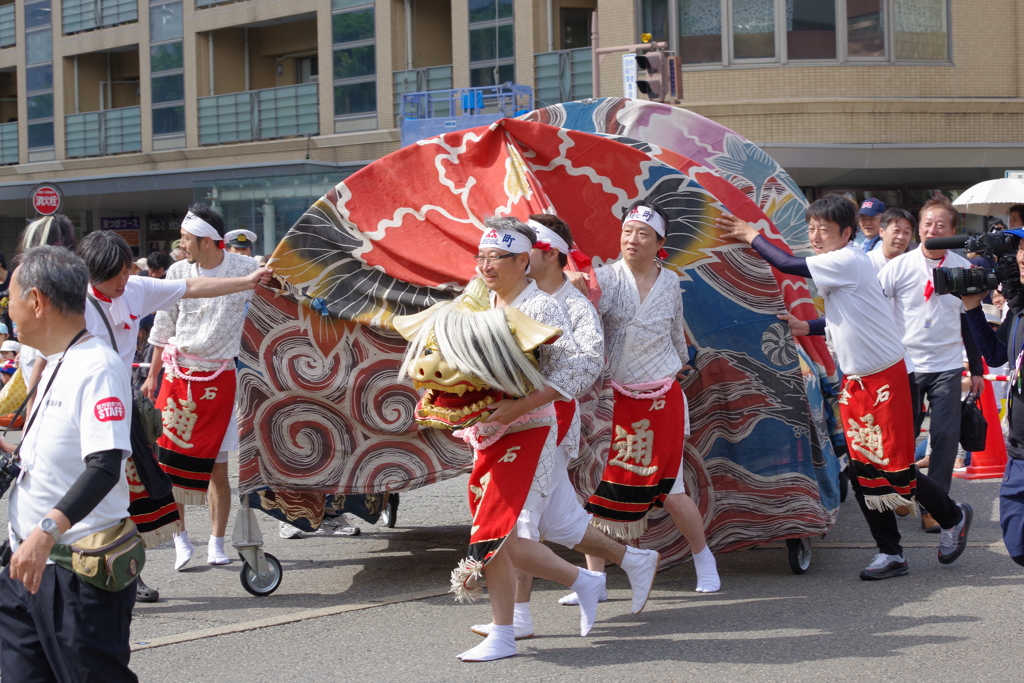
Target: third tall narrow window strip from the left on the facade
<point>355,69</point>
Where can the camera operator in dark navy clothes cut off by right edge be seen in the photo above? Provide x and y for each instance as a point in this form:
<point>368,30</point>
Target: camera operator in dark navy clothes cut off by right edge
<point>1000,347</point>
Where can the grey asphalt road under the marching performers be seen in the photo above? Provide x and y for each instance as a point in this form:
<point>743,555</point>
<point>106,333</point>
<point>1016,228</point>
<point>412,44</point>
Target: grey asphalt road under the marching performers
<point>373,608</point>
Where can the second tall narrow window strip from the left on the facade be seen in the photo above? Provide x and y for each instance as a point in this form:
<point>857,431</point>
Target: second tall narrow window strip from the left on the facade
<point>167,74</point>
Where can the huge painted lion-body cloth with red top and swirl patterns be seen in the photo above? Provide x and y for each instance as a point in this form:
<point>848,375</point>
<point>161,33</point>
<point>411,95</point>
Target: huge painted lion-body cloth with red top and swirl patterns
<point>325,413</point>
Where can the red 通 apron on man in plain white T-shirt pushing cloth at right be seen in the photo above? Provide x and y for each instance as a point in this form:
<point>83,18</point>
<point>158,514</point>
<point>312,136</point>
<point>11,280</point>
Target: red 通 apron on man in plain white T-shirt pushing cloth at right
<point>878,418</point>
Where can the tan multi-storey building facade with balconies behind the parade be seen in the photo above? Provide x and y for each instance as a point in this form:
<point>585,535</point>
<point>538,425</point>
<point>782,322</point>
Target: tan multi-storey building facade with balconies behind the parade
<point>137,109</point>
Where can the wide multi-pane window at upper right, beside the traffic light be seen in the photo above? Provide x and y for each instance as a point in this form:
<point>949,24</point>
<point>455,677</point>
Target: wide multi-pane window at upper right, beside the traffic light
<point>739,32</point>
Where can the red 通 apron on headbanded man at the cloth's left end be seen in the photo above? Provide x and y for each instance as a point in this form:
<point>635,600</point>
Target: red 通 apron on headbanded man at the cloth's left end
<point>196,415</point>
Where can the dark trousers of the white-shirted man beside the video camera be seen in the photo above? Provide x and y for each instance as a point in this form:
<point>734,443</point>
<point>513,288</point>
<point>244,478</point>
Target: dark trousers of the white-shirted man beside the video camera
<point>943,392</point>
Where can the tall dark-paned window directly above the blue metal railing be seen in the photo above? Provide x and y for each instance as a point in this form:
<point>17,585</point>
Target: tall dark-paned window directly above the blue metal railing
<point>492,44</point>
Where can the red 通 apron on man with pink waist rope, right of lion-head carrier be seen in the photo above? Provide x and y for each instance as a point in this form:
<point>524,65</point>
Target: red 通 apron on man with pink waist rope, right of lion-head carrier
<point>649,423</point>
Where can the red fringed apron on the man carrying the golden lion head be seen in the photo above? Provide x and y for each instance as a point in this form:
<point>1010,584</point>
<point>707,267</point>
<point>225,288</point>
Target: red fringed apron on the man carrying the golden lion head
<point>499,485</point>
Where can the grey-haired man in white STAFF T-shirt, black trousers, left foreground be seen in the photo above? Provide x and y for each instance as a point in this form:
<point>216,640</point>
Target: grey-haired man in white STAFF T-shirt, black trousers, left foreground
<point>56,626</point>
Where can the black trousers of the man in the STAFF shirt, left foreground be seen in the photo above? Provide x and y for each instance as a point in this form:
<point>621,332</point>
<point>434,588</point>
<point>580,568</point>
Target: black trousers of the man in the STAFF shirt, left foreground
<point>69,632</point>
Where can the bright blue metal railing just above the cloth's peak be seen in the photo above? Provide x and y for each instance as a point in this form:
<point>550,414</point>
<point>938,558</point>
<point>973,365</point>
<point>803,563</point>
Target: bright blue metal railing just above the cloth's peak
<point>506,101</point>
